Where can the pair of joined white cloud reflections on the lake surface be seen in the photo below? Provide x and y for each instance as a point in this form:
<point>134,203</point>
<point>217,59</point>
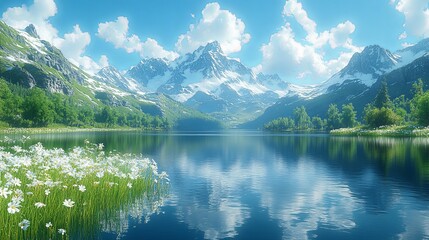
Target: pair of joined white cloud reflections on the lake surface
<point>300,197</point>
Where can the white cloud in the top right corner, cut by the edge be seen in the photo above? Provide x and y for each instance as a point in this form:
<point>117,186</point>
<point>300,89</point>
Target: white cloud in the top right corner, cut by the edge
<point>416,14</point>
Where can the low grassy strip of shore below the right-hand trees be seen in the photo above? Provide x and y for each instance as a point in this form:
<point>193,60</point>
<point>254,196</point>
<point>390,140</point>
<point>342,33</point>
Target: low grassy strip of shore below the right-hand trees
<point>388,131</point>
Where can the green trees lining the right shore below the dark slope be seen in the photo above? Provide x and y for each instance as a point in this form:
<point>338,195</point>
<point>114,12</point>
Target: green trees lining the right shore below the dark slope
<point>381,112</point>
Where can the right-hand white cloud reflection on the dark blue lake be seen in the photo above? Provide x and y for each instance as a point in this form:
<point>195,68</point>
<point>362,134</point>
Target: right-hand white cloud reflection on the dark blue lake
<point>309,200</point>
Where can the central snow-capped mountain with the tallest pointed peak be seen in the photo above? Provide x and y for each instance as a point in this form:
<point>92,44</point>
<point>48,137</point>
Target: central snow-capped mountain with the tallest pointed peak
<point>209,81</point>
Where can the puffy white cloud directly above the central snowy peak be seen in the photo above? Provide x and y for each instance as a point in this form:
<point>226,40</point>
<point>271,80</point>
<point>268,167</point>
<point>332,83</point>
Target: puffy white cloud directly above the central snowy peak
<point>215,25</point>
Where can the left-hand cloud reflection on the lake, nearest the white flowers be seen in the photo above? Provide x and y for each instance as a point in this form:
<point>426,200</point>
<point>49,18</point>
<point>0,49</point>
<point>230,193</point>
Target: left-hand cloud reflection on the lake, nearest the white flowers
<point>219,214</point>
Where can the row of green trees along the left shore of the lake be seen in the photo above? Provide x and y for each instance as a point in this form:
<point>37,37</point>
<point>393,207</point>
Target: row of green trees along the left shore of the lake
<point>21,107</point>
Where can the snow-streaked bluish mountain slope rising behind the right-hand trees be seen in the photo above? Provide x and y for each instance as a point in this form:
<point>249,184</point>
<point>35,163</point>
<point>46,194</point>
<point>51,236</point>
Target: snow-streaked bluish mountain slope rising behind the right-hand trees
<point>358,82</point>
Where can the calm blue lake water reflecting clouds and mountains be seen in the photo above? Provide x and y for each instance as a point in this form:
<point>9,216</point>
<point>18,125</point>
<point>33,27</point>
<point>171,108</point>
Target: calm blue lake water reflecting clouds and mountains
<point>251,185</point>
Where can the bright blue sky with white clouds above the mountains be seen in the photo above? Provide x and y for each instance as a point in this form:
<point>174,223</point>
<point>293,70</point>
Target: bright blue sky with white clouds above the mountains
<point>304,41</point>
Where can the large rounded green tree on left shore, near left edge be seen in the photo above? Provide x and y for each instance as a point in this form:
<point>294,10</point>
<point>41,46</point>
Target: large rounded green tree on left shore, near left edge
<point>37,108</point>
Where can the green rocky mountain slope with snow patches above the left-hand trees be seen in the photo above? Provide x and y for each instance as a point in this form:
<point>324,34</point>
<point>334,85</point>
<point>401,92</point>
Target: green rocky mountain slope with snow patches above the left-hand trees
<point>27,61</point>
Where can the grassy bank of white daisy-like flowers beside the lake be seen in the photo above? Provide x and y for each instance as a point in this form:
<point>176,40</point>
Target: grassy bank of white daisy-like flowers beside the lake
<point>58,194</point>
